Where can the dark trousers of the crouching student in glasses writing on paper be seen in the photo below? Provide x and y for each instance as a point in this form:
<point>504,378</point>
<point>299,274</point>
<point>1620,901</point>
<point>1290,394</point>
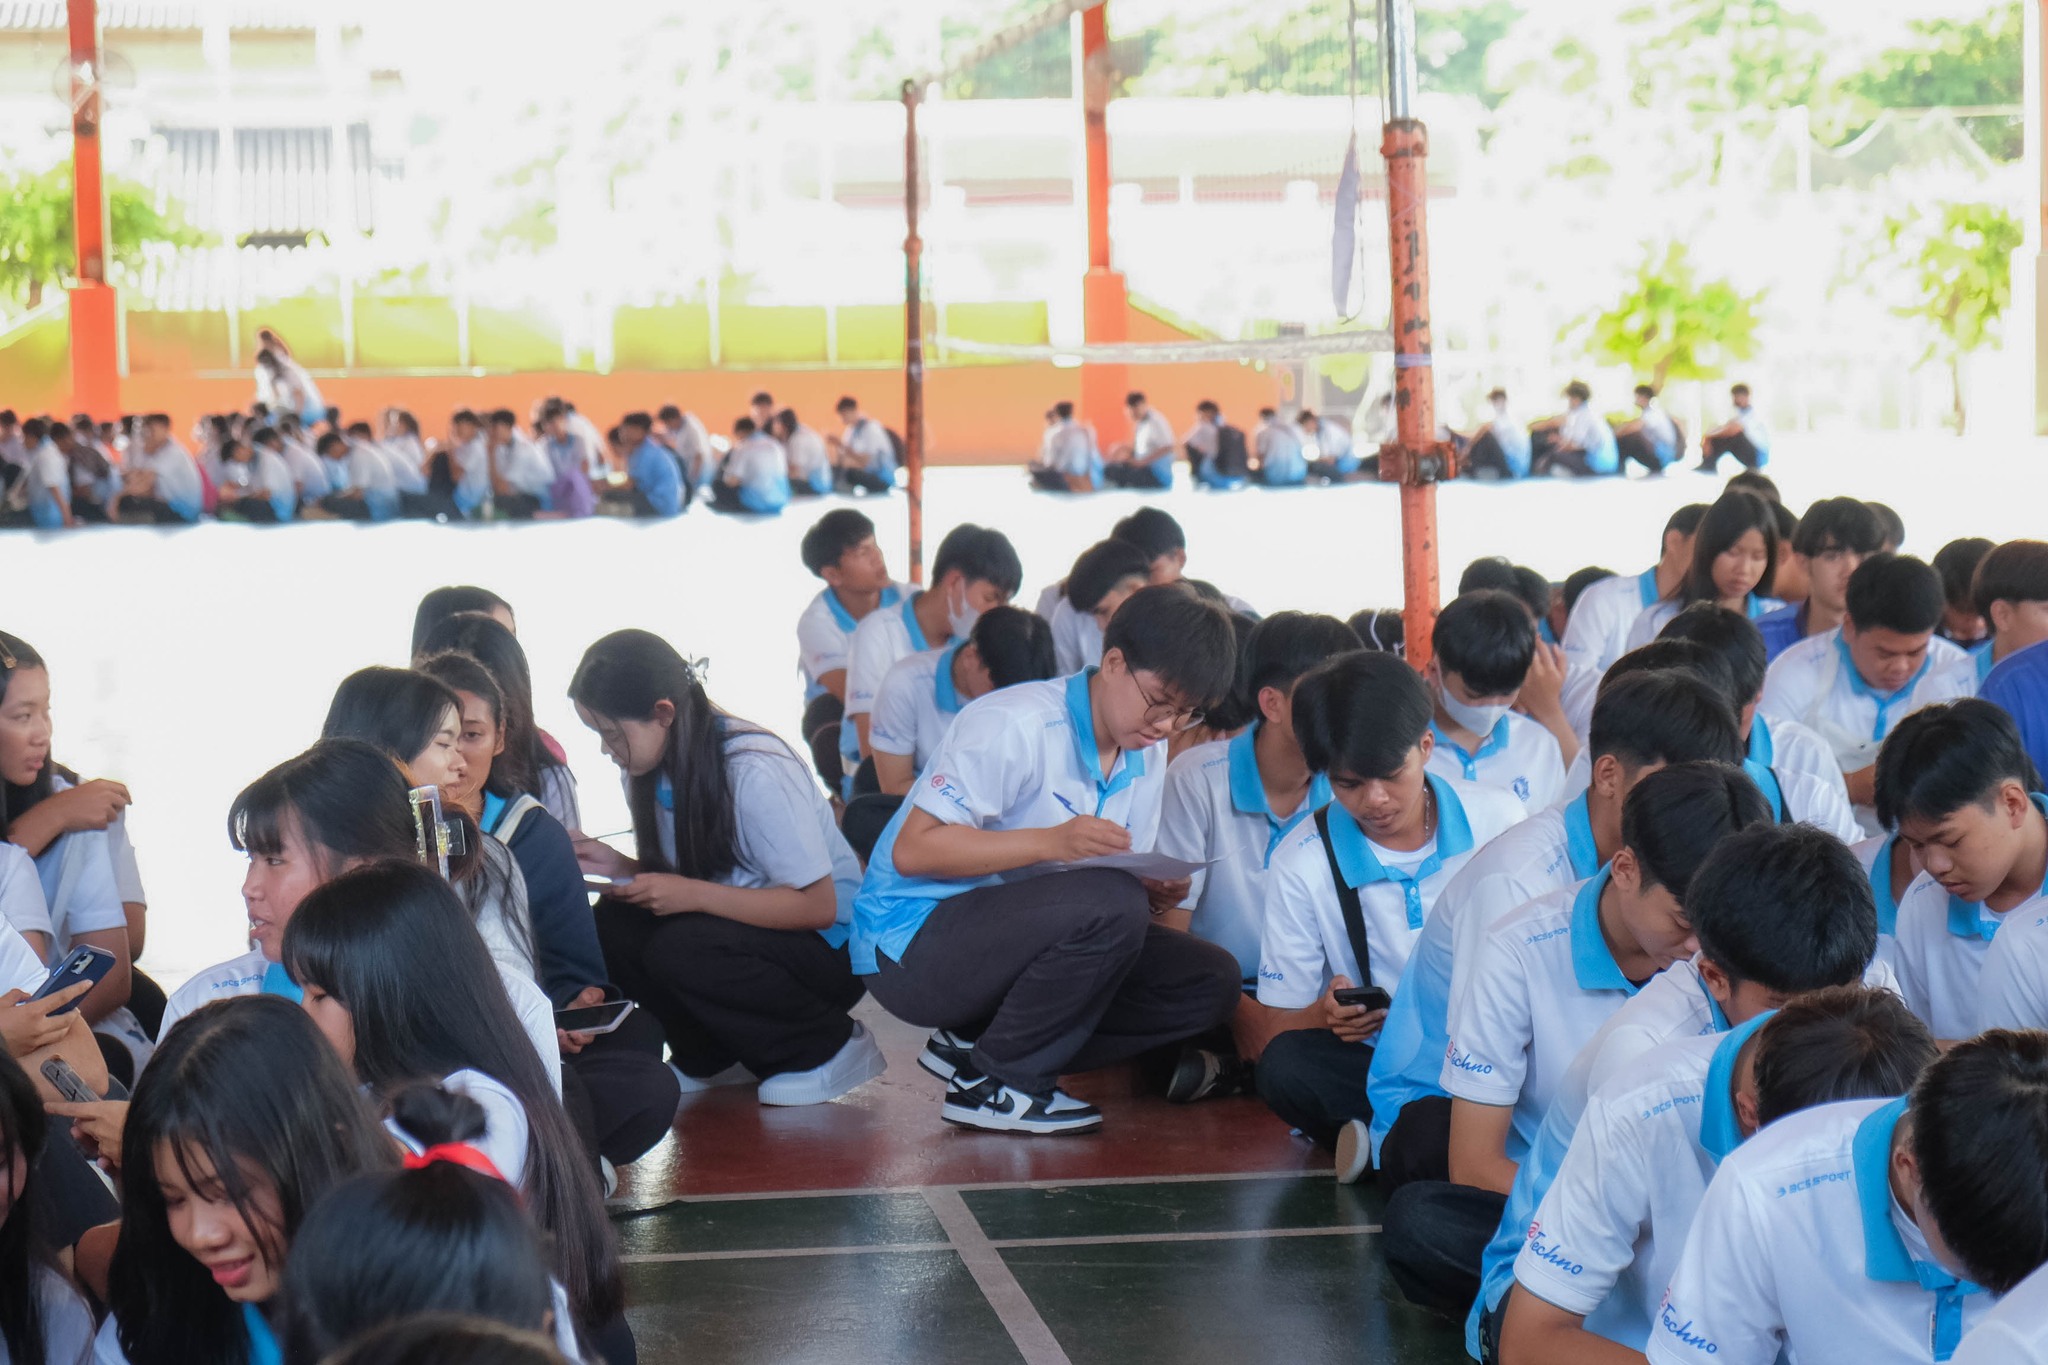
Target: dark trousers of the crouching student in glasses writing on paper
<point>1058,973</point>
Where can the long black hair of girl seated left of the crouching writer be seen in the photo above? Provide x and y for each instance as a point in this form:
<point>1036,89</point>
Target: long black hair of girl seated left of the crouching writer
<point>624,678</point>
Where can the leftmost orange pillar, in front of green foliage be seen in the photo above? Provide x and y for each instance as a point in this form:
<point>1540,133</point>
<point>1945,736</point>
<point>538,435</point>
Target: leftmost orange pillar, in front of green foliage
<point>95,367</point>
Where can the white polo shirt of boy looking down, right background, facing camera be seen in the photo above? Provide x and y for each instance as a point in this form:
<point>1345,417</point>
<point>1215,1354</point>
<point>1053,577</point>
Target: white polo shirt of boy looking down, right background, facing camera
<point>1816,685</point>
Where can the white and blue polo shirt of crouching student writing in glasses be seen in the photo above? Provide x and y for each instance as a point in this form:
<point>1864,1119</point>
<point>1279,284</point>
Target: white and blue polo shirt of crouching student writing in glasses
<point>1019,758</point>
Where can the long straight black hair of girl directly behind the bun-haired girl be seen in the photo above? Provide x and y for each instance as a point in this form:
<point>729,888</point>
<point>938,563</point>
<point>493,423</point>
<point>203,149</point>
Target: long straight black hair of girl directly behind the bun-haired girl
<point>396,949</point>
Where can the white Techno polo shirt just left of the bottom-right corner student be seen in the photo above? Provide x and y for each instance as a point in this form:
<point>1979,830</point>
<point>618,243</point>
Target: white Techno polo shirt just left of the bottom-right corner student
<point>1603,1237</point>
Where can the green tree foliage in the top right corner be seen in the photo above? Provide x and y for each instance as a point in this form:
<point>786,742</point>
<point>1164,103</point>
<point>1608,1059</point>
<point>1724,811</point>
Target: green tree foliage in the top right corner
<point>1953,67</point>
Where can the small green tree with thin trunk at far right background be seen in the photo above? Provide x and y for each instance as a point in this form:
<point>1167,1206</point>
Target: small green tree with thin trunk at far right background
<point>1961,259</point>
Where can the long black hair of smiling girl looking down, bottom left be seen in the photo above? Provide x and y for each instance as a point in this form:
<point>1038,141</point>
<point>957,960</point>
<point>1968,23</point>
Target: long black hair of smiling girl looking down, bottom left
<point>251,1086</point>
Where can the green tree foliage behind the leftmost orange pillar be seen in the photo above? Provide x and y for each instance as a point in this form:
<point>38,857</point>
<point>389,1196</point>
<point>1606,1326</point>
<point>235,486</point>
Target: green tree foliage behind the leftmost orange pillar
<point>36,232</point>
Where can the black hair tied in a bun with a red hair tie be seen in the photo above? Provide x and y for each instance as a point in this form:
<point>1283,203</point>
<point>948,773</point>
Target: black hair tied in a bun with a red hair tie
<point>427,1239</point>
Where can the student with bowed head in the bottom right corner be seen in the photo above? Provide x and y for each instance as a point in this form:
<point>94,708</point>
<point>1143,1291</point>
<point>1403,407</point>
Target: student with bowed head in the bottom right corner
<point>1848,1233</point>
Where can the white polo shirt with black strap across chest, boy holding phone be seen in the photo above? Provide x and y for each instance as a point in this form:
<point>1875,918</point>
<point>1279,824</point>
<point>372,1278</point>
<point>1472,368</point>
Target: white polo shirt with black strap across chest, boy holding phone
<point>1304,942</point>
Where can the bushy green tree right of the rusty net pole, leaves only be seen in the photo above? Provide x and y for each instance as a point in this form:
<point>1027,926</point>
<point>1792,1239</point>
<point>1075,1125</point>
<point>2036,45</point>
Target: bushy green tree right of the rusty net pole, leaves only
<point>1672,324</point>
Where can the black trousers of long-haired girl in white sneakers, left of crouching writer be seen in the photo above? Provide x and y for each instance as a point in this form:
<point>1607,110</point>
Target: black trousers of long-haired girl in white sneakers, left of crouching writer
<point>771,1000</point>
